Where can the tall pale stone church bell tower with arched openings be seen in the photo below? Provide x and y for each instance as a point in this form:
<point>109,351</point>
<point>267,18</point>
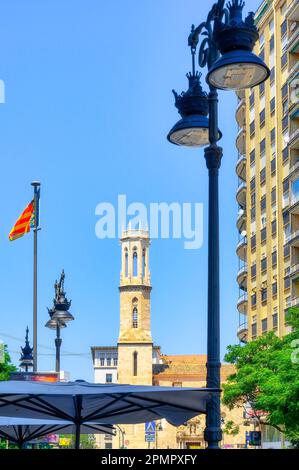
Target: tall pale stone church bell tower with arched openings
<point>135,344</point>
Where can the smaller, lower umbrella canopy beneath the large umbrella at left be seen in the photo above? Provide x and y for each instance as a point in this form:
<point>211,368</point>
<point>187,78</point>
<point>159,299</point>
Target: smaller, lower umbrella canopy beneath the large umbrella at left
<point>21,430</point>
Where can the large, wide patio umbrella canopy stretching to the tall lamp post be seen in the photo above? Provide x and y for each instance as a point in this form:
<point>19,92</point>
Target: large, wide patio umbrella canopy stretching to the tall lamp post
<point>81,402</point>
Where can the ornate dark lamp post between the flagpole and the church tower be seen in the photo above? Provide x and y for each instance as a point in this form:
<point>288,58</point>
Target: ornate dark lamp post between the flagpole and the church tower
<point>59,316</point>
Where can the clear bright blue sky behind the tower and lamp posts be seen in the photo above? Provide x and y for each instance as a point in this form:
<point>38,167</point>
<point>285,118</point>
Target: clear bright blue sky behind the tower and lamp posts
<point>88,107</point>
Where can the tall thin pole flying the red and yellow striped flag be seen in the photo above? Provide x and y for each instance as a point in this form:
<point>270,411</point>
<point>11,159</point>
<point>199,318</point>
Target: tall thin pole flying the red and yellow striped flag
<point>36,186</point>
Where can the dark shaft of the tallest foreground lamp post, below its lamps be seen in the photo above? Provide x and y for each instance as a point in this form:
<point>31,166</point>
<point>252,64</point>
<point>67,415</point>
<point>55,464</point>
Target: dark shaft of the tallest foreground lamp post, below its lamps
<point>213,155</point>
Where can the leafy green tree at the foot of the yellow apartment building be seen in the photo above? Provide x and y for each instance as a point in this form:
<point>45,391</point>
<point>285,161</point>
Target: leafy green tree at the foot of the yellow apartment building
<point>267,378</point>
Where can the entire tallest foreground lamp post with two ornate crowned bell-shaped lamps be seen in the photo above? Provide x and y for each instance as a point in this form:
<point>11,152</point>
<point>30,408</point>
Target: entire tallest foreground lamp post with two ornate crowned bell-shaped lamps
<point>224,32</point>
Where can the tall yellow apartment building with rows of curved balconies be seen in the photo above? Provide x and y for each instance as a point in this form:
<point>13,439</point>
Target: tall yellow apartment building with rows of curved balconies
<point>268,178</point>
